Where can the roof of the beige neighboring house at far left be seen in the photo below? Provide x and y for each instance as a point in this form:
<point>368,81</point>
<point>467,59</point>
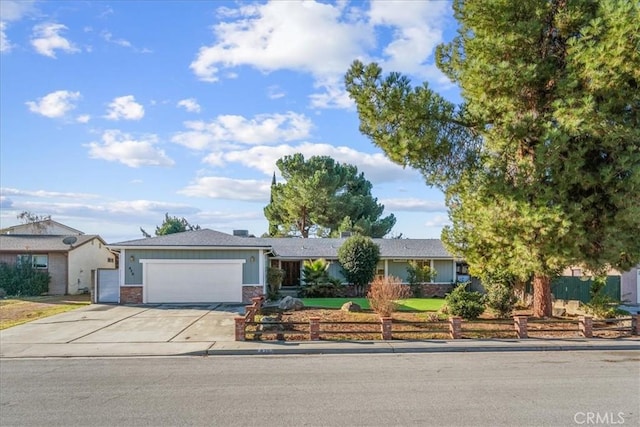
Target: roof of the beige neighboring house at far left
<point>41,242</point>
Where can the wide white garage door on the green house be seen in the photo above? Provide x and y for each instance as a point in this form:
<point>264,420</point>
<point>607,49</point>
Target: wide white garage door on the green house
<point>190,281</point>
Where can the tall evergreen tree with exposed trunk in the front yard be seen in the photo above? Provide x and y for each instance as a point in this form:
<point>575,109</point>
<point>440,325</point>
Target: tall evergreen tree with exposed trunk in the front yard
<point>540,164</point>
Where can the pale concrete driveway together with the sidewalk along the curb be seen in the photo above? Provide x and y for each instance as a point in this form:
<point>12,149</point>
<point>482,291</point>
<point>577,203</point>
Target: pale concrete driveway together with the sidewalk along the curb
<point>171,330</point>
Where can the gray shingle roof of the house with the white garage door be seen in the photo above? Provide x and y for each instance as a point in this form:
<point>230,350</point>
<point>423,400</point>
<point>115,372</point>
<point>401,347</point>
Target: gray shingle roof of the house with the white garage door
<point>291,247</point>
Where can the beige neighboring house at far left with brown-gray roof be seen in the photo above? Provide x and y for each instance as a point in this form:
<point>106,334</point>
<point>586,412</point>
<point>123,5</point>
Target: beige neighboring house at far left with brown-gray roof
<point>70,260</point>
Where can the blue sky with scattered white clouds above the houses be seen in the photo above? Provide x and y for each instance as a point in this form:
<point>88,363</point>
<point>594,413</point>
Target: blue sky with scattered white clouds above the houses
<point>115,113</point>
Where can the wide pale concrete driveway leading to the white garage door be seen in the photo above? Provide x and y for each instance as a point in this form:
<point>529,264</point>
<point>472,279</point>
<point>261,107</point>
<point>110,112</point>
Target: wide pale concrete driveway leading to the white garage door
<point>105,330</point>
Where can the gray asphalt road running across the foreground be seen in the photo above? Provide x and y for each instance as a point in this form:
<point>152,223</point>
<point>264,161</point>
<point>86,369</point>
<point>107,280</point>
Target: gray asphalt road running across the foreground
<point>438,389</point>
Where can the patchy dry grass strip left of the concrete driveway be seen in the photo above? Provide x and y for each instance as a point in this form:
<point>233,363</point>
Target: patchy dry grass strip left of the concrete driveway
<point>16,311</point>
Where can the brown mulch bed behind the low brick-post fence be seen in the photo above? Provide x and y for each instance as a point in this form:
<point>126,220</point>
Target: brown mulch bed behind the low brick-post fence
<point>296,327</point>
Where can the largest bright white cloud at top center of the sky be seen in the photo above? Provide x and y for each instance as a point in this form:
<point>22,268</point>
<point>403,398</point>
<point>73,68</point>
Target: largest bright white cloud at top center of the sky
<point>261,37</point>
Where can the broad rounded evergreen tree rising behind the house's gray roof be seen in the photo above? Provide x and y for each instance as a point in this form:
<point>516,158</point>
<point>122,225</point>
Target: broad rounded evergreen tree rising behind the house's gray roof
<point>323,197</point>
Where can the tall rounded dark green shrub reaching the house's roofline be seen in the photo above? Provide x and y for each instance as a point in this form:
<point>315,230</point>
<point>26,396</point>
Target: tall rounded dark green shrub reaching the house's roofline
<point>358,257</point>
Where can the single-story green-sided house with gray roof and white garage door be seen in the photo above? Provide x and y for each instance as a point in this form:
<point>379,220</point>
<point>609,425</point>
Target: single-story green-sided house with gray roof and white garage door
<point>210,266</point>
